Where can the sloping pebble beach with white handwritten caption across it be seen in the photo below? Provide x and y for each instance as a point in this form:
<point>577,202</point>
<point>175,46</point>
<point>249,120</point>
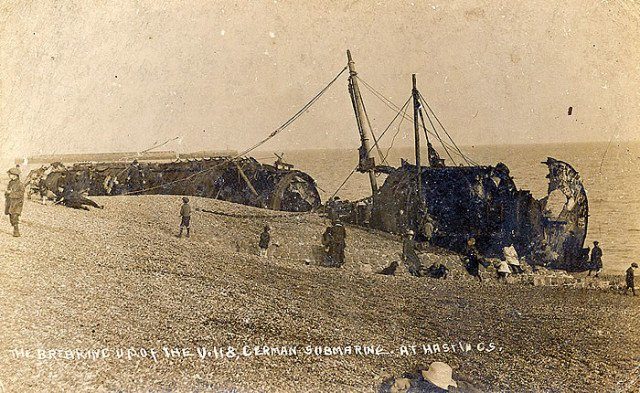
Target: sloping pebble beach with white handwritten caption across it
<point>206,313</point>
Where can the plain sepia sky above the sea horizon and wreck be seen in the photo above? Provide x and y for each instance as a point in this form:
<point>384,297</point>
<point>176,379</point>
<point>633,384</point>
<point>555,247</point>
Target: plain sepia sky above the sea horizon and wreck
<point>84,76</point>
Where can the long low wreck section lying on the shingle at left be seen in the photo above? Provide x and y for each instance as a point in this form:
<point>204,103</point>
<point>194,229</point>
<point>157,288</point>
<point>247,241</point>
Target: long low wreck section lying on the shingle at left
<point>244,181</point>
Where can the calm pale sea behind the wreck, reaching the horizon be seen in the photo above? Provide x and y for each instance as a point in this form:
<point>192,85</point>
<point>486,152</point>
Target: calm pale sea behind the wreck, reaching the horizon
<point>610,173</point>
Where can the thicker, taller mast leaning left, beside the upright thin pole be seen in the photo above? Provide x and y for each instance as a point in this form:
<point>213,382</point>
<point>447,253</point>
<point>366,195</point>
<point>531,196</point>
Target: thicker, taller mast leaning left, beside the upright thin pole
<point>366,162</point>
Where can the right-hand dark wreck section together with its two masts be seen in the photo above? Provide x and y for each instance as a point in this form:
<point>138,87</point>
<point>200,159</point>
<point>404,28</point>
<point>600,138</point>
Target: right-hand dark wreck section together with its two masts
<point>459,202</point>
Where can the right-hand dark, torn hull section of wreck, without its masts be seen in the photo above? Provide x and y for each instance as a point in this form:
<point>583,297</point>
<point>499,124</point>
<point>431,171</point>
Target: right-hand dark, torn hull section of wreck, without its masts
<point>483,202</point>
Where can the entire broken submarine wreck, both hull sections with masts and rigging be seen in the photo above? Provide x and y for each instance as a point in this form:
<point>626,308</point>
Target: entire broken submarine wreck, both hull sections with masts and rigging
<point>460,201</point>
